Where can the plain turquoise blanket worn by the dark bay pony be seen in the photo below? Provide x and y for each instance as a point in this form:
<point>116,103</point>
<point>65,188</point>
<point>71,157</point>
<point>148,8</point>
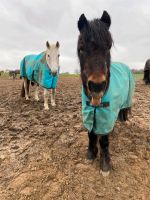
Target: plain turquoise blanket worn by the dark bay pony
<point>119,95</point>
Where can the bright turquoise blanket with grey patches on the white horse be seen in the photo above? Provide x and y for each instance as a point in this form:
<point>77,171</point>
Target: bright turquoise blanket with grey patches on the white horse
<point>36,69</point>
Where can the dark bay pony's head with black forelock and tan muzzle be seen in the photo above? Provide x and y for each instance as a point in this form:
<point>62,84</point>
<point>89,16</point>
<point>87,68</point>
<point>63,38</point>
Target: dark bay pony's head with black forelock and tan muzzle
<point>93,49</point>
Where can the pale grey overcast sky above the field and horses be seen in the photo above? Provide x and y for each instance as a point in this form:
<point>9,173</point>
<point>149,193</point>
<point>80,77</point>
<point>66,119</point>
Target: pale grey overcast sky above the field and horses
<point>26,25</point>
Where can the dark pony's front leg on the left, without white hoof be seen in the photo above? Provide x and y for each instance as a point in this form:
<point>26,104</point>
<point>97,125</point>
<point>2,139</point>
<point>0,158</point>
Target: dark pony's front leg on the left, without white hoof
<point>92,147</point>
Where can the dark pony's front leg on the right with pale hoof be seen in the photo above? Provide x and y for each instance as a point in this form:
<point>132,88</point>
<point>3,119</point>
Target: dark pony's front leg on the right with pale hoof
<point>104,155</point>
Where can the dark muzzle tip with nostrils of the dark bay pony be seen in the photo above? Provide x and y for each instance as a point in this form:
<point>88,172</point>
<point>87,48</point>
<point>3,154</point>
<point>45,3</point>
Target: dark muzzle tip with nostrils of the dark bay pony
<point>96,87</point>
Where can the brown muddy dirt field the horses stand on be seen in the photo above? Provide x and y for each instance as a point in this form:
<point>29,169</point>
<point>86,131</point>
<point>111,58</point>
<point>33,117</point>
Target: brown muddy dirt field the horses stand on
<point>43,153</point>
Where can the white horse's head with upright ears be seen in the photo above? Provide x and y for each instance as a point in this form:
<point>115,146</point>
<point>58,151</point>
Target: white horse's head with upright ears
<point>52,57</point>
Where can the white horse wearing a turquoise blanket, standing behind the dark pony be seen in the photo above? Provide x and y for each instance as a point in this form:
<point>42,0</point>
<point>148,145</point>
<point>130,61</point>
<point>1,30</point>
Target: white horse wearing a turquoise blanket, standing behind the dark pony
<point>43,70</point>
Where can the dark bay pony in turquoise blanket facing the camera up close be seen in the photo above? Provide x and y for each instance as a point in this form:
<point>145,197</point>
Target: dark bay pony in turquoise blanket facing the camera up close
<point>107,87</point>
